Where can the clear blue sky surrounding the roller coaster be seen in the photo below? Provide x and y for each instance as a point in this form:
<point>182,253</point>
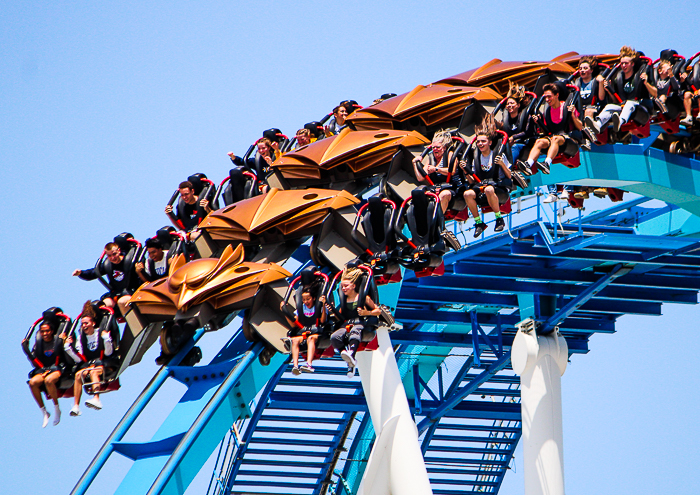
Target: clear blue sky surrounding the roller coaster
<point>107,106</point>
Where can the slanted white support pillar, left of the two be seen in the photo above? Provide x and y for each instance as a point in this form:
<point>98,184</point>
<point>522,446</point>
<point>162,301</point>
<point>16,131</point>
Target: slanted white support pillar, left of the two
<point>396,465</point>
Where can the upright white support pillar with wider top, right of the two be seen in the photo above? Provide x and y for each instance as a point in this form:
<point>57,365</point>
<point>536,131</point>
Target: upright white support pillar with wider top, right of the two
<point>541,361</point>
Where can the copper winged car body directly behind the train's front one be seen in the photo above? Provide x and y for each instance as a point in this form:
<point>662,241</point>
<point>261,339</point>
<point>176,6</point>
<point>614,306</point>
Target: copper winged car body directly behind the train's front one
<point>271,219</point>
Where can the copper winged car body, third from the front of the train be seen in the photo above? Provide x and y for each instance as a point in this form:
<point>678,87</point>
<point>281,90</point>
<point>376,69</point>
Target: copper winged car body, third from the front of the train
<point>346,161</point>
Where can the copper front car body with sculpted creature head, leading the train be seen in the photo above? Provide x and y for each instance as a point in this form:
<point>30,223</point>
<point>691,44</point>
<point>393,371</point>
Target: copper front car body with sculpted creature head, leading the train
<point>227,284</point>
